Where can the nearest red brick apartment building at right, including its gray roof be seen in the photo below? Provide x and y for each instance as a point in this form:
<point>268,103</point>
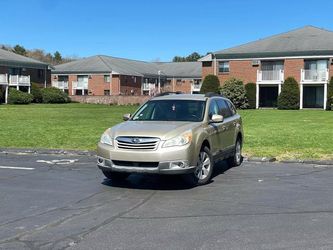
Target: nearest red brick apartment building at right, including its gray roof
<point>305,54</point>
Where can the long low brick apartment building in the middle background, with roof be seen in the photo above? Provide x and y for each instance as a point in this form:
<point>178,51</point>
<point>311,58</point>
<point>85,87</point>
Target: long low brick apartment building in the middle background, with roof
<point>104,75</point>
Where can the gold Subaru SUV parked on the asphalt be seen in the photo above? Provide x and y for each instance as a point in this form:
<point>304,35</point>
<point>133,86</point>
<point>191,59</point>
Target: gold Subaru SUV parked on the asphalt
<point>173,134</point>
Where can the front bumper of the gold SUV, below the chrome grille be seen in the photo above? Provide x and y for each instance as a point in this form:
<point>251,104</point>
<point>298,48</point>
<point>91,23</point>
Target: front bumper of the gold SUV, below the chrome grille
<point>178,160</point>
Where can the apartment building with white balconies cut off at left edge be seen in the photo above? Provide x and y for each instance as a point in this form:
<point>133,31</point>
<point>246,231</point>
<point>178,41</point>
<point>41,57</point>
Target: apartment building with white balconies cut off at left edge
<point>19,72</point>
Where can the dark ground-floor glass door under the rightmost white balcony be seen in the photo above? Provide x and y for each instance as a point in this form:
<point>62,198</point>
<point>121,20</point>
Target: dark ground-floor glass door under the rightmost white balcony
<point>313,96</point>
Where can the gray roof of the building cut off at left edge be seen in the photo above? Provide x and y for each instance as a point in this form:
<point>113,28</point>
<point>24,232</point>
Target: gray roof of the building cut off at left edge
<point>9,58</point>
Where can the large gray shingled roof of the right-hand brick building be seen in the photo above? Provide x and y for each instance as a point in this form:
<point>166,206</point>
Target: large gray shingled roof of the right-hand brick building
<point>306,41</point>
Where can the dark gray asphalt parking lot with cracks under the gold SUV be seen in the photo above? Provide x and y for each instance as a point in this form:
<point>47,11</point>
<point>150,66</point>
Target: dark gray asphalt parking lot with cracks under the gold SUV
<point>59,202</point>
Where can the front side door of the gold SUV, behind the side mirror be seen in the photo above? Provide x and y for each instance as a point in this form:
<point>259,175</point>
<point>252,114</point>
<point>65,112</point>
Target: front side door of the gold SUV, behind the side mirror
<point>215,130</point>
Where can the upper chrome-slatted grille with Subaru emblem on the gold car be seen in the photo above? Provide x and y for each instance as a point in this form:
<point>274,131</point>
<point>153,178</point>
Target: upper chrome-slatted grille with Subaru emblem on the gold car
<point>137,143</point>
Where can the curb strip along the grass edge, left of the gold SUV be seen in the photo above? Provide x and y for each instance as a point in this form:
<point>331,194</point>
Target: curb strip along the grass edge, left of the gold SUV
<point>47,151</point>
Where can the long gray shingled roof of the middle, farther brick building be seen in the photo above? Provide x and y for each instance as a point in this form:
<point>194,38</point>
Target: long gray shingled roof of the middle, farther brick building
<point>107,64</point>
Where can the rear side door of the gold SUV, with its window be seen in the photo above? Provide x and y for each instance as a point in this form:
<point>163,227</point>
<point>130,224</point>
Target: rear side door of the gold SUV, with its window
<point>228,125</point>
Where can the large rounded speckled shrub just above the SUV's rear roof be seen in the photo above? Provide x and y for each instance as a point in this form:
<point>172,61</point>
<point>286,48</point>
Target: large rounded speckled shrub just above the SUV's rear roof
<point>234,90</point>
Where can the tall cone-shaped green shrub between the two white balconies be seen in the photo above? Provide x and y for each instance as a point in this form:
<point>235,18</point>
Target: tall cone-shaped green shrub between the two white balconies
<point>289,96</point>
